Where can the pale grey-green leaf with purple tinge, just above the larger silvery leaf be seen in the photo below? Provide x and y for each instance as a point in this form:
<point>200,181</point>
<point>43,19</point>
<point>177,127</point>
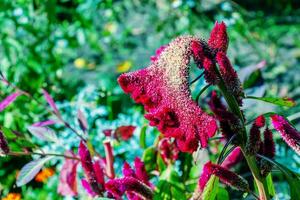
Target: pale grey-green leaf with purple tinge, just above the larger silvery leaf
<point>43,133</point>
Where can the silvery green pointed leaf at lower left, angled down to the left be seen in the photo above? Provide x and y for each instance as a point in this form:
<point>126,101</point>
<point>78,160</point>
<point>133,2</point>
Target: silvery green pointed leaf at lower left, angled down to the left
<point>29,171</point>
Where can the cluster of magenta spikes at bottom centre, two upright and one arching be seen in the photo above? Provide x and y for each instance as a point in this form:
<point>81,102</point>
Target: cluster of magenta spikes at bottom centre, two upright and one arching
<point>135,183</point>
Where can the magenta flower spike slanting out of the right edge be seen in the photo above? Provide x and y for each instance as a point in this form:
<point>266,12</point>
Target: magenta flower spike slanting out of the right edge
<point>289,134</point>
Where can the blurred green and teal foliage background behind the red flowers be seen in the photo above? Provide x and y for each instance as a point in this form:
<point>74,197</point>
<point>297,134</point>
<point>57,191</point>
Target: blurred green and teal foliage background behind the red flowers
<point>77,49</point>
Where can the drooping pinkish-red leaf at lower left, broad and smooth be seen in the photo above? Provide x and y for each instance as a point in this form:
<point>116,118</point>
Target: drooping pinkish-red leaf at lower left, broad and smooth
<point>67,178</point>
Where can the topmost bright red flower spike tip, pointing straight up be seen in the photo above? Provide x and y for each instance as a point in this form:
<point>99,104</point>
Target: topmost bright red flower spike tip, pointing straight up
<point>218,37</point>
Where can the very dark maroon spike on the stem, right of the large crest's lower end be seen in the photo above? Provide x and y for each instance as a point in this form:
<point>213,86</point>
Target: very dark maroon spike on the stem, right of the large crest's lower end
<point>229,123</point>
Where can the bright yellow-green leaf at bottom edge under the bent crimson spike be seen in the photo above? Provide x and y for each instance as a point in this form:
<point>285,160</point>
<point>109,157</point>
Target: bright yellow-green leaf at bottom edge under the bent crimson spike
<point>211,189</point>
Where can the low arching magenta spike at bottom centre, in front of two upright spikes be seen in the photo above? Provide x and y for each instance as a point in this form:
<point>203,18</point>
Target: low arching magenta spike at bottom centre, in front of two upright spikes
<point>128,184</point>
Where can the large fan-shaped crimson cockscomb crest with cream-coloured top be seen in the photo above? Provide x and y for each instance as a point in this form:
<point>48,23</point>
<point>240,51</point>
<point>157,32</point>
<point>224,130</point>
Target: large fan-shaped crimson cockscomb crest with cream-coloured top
<point>163,89</point>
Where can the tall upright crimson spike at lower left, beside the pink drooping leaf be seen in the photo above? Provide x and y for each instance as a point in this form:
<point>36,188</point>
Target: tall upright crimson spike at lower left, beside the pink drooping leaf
<point>88,168</point>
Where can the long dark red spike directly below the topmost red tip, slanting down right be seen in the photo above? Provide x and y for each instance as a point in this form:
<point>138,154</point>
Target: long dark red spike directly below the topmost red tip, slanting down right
<point>230,76</point>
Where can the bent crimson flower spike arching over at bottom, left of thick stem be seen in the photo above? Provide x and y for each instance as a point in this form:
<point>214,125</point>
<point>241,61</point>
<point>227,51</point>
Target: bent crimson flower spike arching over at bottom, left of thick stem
<point>227,177</point>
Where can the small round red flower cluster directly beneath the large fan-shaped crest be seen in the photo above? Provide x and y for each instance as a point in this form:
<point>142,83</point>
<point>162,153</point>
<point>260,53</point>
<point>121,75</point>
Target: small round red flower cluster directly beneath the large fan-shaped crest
<point>168,150</point>
